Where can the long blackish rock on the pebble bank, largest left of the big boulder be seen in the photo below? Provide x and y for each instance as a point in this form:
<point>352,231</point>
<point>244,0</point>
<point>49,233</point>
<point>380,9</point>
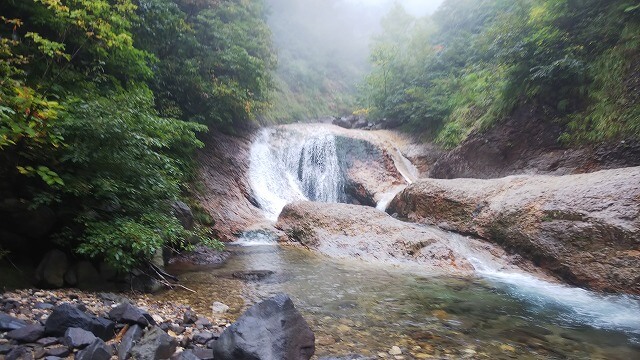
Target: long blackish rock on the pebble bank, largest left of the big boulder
<point>67,316</point>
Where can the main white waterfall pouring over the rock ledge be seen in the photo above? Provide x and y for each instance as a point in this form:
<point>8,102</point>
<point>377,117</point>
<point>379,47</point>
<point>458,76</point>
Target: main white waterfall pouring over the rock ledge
<point>287,166</point>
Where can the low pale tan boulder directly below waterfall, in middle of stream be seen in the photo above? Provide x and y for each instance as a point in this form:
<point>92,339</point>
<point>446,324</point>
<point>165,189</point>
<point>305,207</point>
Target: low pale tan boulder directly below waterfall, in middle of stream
<point>342,230</point>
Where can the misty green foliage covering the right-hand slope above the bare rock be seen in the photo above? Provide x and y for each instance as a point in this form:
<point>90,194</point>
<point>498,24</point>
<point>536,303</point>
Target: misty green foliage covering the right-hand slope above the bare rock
<point>473,62</point>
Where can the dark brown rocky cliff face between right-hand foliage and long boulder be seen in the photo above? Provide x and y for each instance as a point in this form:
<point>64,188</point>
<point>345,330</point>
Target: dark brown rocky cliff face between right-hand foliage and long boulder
<point>527,143</point>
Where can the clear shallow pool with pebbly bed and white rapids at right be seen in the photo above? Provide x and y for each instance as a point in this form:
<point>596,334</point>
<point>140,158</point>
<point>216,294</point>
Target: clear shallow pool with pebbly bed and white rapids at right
<point>362,308</point>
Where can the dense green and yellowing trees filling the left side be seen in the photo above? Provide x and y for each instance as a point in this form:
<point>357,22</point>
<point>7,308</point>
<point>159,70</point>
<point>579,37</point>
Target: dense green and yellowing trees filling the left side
<point>101,102</point>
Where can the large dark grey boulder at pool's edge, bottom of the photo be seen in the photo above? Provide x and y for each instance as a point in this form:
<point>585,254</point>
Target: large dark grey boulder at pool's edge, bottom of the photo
<point>271,329</point>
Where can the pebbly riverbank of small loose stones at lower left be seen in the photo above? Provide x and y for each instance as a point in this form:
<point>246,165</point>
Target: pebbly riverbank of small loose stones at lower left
<point>192,333</point>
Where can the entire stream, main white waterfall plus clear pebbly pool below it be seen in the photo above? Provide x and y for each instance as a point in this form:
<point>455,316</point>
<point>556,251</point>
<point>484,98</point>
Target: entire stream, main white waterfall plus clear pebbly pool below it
<point>355,307</point>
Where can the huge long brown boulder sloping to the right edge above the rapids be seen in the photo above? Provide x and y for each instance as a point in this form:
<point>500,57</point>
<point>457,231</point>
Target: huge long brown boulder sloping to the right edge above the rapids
<point>584,228</point>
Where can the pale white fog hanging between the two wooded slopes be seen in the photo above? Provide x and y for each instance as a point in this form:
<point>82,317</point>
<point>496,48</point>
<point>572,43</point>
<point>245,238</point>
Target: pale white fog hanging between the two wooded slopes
<point>323,50</point>
